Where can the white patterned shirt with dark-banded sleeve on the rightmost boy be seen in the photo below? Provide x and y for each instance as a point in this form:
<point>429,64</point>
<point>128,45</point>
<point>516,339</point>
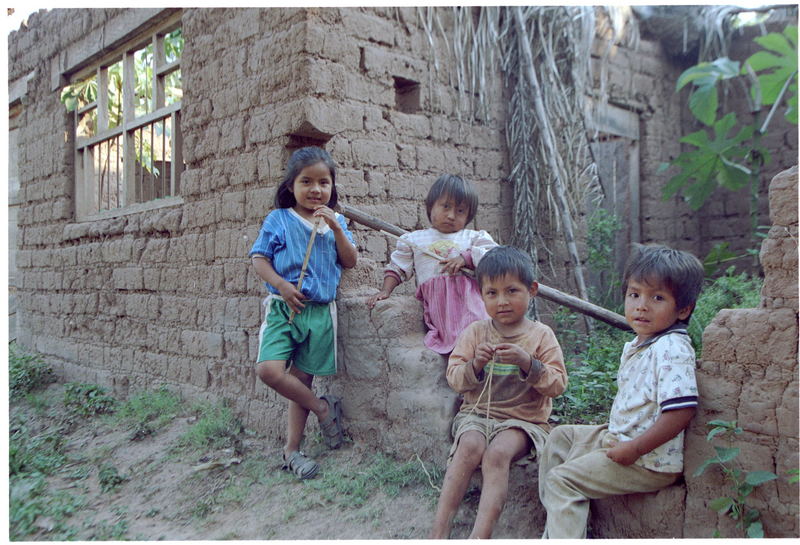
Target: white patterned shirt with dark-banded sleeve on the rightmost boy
<point>655,377</point>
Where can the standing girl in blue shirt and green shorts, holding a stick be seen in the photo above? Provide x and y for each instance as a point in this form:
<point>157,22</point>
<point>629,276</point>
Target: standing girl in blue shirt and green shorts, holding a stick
<point>300,325</point>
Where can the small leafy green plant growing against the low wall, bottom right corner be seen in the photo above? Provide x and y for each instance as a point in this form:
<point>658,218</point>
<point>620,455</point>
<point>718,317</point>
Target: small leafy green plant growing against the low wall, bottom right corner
<point>742,483</point>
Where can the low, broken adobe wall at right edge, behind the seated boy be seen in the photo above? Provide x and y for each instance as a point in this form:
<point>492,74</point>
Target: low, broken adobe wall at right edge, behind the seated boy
<point>749,373</point>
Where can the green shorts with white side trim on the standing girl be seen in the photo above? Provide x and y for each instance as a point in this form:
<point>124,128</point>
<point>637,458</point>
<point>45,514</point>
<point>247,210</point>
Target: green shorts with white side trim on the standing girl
<point>309,341</point>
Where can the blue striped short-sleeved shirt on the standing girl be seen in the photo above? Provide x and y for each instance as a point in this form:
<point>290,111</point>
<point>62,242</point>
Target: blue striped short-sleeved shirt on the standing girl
<point>283,240</point>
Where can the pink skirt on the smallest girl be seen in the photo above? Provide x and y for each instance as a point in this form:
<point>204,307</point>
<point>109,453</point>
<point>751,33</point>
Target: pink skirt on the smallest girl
<point>450,303</point>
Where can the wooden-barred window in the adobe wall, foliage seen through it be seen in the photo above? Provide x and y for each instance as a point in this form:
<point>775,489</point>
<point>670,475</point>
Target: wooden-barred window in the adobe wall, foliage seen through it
<point>127,126</point>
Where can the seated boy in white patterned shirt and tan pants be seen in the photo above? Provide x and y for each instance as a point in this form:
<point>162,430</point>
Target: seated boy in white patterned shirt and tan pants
<point>640,449</point>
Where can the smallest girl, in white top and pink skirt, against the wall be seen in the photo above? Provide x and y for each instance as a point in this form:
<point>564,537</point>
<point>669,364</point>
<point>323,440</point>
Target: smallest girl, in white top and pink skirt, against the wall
<point>451,300</point>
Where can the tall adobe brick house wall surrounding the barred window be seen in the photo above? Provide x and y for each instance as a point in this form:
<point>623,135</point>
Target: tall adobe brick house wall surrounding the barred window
<point>168,295</point>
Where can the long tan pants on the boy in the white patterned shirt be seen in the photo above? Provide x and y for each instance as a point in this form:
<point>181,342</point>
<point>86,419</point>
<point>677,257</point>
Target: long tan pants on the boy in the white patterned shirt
<point>574,468</point>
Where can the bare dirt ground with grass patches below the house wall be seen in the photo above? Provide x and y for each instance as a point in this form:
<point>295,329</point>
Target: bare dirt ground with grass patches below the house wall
<point>236,493</point>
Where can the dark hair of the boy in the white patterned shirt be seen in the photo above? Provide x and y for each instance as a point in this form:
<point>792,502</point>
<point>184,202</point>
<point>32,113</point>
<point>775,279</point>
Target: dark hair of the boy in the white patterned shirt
<point>680,272</point>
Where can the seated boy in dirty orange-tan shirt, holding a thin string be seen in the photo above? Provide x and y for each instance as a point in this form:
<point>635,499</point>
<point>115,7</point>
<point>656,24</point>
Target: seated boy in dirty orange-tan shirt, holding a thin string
<point>508,369</point>
